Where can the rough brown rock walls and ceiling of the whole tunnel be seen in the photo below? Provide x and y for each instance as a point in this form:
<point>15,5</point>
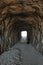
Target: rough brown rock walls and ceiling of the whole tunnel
<point>17,16</point>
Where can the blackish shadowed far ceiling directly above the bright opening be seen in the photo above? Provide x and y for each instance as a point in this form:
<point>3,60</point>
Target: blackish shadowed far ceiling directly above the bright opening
<point>22,26</point>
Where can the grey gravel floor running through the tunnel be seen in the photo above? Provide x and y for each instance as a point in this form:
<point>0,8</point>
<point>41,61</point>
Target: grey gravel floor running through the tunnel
<point>21,54</point>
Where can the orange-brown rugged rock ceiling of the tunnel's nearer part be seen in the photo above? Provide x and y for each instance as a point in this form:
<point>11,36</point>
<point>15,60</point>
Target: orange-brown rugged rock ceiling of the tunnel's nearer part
<point>30,11</point>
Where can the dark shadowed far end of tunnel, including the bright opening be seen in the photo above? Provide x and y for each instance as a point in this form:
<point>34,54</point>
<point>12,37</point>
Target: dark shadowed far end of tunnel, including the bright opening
<point>24,31</point>
